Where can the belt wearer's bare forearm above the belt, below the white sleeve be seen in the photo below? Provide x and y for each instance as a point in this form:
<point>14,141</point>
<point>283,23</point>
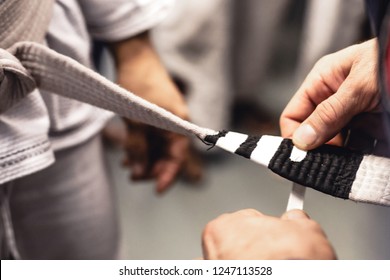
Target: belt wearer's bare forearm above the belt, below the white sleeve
<point>140,70</point>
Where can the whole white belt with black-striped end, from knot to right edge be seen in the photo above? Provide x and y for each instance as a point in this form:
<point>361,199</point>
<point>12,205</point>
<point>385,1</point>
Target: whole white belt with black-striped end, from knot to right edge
<point>335,171</point>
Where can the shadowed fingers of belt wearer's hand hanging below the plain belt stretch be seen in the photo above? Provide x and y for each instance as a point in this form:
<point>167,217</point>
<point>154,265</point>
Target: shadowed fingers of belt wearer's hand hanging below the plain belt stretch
<point>163,155</point>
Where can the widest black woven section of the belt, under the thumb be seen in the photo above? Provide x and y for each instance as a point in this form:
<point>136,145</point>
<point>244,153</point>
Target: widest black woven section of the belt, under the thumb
<point>328,169</point>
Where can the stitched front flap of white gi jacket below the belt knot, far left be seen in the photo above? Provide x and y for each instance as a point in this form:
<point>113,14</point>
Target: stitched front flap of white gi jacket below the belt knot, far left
<point>24,143</point>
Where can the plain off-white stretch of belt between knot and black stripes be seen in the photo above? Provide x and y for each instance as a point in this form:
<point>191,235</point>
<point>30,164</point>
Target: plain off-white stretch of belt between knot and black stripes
<point>56,73</point>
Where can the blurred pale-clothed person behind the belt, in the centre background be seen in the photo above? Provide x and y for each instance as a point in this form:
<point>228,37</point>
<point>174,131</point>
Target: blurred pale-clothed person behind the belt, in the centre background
<point>218,53</point>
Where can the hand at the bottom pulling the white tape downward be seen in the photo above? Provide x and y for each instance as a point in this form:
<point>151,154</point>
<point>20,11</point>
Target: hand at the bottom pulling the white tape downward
<point>248,234</point>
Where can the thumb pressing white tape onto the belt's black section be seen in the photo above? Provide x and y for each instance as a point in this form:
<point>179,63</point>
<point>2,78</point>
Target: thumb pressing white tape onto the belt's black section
<point>326,121</point>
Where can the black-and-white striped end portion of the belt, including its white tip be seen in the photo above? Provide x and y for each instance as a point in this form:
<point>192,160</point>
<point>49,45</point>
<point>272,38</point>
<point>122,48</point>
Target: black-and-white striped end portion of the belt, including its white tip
<point>329,169</point>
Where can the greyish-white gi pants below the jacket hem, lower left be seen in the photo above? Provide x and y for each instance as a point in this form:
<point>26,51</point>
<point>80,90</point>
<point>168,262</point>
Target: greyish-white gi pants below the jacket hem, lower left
<point>66,211</point>
